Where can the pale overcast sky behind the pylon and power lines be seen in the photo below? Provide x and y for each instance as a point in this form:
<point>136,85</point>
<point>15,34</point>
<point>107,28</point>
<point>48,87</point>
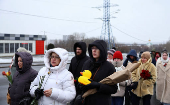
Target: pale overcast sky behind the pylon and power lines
<point>137,21</point>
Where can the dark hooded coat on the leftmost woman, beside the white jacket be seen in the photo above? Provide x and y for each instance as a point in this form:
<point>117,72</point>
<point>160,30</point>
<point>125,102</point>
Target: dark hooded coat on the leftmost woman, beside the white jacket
<point>22,78</point>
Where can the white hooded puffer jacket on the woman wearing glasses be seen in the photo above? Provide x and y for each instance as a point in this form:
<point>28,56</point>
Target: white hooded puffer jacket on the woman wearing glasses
<point>60,80</point>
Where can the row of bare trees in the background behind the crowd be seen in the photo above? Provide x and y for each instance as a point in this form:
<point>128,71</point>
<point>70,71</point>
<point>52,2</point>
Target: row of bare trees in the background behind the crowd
<point>124,48</point>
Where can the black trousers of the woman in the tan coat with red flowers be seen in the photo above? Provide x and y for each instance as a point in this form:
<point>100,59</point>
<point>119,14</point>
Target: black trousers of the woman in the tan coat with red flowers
<point>136,100</point>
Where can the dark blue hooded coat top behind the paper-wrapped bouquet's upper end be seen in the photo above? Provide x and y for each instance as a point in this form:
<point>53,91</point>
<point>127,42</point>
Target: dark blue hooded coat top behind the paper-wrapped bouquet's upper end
<point>131,53</point>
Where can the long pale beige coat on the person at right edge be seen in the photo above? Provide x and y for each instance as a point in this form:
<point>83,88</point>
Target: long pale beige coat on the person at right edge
<point>163,82</point>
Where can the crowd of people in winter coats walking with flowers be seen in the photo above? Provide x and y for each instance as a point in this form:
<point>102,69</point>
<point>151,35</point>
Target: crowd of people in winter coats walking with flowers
<point>55,85</point>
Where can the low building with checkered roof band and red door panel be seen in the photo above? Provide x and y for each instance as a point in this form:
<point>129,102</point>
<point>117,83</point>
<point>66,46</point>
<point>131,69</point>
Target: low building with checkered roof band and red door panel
<point>9,43</point>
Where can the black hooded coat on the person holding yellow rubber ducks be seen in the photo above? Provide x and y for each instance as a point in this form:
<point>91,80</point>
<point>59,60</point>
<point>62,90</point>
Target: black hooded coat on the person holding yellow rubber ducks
<point>100,69</point>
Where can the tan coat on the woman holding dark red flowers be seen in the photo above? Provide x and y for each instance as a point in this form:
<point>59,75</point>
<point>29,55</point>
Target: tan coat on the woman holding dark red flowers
<point>145,87</point>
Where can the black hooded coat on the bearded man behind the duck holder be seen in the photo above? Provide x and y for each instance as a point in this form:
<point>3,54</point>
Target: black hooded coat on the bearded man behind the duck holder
<point>77,62</point>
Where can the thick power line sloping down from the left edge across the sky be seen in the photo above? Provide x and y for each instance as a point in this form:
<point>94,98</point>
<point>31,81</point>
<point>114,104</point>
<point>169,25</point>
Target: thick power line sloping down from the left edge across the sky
<point>44,16</point>
